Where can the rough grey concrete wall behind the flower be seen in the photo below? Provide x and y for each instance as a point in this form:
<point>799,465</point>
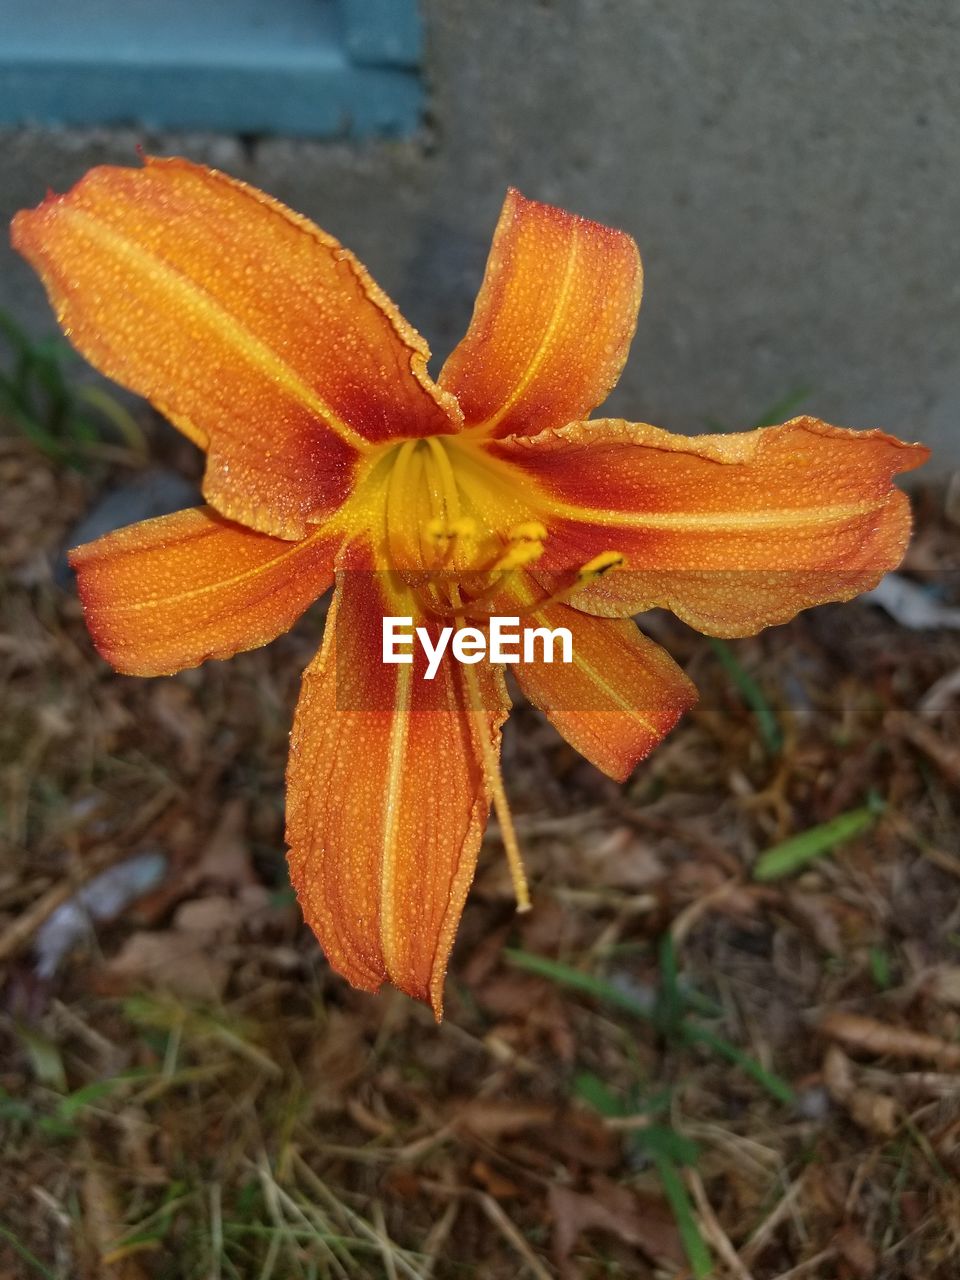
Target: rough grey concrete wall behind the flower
<point>792,172</point>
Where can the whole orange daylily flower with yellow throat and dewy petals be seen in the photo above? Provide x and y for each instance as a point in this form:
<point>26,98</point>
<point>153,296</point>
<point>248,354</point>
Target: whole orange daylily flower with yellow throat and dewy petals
<point>332,455</point>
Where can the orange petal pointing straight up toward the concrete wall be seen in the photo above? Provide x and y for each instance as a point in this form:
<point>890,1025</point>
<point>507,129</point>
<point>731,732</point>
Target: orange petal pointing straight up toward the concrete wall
<point>552,323</point>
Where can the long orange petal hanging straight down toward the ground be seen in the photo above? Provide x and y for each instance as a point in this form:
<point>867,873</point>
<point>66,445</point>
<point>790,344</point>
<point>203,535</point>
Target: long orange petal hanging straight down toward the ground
<point>386,797</point>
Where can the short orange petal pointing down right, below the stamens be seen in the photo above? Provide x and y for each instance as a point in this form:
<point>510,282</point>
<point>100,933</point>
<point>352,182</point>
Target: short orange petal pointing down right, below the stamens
<point>619,697</point>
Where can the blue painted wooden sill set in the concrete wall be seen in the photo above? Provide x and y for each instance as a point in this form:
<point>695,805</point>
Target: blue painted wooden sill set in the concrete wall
<point>232,66</point>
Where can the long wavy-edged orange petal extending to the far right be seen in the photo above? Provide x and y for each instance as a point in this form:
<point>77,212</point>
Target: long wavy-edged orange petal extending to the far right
<point>733,533</point>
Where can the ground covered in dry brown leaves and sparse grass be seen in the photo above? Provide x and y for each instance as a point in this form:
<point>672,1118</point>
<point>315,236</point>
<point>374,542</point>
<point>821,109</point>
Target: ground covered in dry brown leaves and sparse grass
<point>671,1068</point>
